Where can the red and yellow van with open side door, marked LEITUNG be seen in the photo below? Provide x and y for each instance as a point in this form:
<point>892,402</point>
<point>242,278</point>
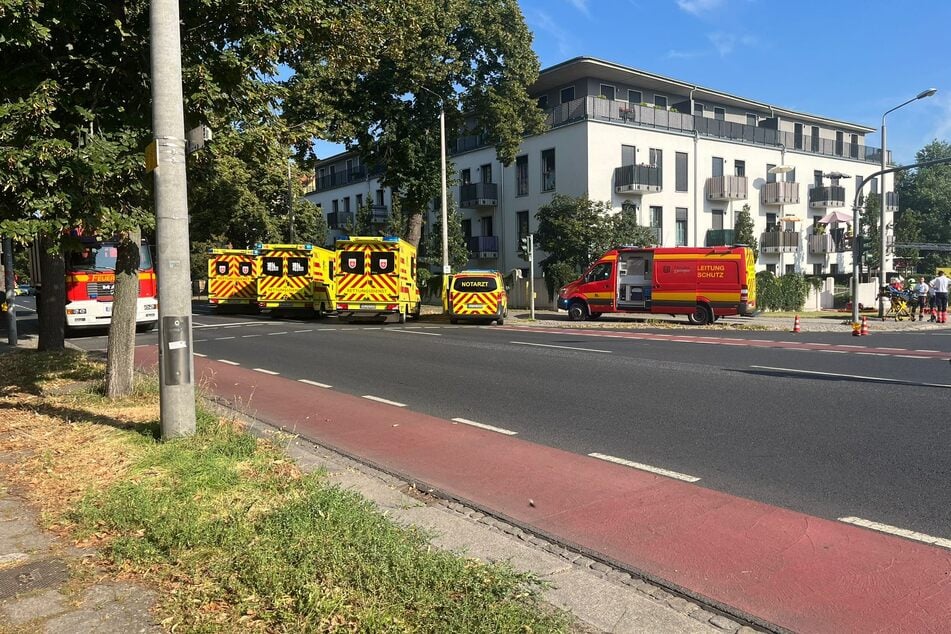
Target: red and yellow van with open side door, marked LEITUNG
<point>701,283</point>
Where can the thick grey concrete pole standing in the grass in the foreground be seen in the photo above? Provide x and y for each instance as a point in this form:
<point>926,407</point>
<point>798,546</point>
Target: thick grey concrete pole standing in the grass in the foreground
<point>176,363</point>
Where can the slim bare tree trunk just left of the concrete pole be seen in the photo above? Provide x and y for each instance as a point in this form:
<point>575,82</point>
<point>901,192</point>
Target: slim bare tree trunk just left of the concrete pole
<point>120,362</point>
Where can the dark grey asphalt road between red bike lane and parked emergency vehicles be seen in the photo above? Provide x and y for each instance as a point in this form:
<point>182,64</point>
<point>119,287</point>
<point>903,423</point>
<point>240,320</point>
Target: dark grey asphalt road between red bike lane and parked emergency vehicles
<point>813,422</point>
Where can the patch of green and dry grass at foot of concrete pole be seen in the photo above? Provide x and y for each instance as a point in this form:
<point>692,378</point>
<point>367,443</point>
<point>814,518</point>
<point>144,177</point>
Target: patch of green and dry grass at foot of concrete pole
<point>228,522</point>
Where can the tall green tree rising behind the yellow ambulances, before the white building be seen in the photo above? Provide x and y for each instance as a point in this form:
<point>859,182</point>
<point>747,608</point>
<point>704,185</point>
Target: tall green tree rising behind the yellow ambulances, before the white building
<point>471,57</point>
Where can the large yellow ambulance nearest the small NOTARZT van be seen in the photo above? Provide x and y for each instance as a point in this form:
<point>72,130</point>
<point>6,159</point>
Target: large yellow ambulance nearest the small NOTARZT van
<point>376,277</point>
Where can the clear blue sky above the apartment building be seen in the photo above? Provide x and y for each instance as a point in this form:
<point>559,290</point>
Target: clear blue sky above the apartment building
<point>844,59</point>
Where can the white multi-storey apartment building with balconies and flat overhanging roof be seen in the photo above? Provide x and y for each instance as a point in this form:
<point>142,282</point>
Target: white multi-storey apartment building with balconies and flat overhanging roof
<point>684,158</point>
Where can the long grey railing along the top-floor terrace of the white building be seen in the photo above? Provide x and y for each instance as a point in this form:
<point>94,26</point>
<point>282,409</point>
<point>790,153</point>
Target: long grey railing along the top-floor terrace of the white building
<point>645,116</point>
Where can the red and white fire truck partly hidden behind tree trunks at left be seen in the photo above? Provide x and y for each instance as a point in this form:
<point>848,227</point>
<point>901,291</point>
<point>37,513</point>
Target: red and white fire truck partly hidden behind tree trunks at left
<point>91,280</point>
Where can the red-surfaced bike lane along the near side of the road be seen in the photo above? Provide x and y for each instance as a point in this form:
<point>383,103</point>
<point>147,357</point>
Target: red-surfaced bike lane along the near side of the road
<point>782,569</point>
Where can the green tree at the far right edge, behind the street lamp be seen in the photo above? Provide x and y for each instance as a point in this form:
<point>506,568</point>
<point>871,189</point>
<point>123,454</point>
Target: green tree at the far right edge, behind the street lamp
<point>925,196</point>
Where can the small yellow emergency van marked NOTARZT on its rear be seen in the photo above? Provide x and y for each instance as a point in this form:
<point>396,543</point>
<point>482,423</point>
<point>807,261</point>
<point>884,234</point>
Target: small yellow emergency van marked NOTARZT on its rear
<point>476,295</point>
